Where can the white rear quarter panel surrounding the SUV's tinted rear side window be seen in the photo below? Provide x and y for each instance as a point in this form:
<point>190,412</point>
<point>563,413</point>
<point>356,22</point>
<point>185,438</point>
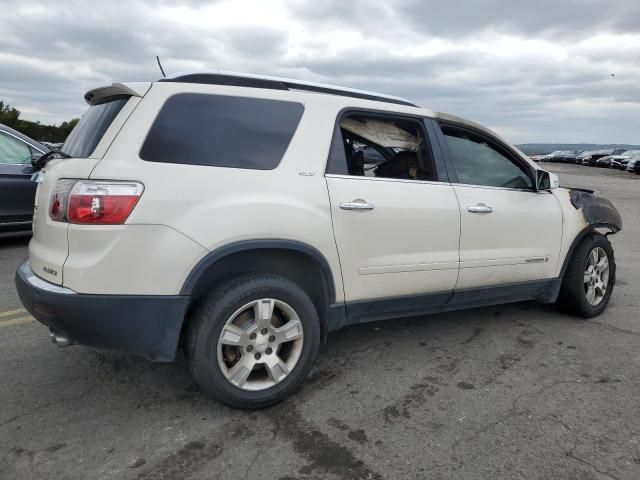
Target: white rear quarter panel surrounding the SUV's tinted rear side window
<point>217,206</point>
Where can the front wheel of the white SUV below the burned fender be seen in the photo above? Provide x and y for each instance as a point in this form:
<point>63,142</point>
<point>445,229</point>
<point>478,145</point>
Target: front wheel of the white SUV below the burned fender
<point>589,279</point>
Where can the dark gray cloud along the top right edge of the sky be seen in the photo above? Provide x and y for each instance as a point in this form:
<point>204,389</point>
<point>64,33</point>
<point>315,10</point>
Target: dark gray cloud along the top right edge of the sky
<point>456,18</point>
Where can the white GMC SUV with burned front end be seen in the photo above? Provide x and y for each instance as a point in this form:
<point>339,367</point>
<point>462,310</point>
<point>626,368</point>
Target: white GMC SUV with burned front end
<point>237,216</point>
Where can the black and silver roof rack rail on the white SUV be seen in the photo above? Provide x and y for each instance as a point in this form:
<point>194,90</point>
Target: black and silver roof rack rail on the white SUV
<point>219,77</point>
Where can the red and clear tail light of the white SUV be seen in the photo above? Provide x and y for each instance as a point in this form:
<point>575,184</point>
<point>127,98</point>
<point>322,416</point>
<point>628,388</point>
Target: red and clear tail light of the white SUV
<point>94,202</point>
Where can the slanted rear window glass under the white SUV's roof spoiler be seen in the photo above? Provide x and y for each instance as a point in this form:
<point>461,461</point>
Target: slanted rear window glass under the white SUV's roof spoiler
<point>84,138</point>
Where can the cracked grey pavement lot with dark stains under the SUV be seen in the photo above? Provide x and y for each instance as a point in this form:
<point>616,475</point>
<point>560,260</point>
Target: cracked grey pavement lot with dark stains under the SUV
<point>513,391</point>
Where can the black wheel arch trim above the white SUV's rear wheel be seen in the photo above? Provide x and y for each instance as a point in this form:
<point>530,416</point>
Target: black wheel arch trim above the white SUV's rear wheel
<point>261,244</point>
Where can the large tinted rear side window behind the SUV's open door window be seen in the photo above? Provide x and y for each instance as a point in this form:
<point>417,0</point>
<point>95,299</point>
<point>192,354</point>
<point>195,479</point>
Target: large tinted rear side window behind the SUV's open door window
<point>222,131</point>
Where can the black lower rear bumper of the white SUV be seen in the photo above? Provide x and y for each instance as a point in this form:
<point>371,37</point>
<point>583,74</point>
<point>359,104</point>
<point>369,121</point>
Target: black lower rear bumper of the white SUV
<point>144,325</point>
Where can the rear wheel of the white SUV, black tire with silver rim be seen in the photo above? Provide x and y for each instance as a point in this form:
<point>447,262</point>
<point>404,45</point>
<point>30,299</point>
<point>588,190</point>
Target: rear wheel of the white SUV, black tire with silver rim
<point>252,341</point>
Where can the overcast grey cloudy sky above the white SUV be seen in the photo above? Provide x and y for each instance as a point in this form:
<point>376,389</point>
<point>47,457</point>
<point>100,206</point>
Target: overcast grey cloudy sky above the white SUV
<point>535,71</point>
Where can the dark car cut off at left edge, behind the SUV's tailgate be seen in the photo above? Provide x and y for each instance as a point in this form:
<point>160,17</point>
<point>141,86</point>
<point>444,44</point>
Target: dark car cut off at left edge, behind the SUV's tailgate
<point>17,191</point>
